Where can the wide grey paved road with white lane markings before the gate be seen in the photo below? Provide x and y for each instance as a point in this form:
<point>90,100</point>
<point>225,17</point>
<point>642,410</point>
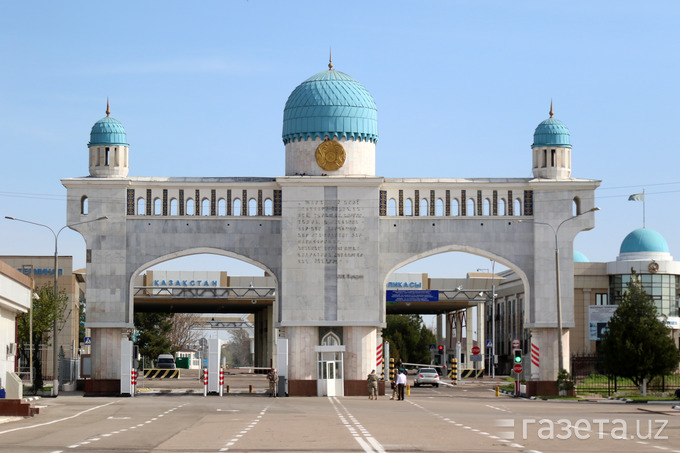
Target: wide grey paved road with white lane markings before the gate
<point>467,418</point>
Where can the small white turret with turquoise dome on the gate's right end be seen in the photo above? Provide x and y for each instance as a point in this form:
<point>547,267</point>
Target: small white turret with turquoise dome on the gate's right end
<point>551,149</point>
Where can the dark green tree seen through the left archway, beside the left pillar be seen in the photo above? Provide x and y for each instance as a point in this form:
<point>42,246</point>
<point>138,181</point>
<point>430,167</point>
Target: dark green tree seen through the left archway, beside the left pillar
<point>153,335</point>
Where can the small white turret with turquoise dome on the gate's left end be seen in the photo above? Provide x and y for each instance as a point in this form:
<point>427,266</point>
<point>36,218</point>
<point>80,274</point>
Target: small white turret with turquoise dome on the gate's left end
<point>108,148</point>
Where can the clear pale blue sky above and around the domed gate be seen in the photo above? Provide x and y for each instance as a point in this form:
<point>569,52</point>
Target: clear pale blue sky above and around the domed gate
<point>460,87</point>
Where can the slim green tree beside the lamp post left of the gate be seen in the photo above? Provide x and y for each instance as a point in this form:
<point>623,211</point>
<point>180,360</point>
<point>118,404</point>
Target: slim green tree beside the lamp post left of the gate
<point>48,308</point>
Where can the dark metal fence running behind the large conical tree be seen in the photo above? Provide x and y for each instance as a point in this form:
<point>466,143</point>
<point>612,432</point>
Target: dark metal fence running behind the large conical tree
<point>588,378</point>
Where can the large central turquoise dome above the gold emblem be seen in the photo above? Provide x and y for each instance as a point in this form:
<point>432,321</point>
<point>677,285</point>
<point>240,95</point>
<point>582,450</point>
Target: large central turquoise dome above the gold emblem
<point>332,104</point>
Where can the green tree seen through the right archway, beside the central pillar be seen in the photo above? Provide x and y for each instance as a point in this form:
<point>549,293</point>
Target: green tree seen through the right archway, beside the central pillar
<point>409,339</point>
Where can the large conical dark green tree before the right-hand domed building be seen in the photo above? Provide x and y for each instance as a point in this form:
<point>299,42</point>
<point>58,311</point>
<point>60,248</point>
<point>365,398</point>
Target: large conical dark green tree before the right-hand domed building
<point>637,345</point>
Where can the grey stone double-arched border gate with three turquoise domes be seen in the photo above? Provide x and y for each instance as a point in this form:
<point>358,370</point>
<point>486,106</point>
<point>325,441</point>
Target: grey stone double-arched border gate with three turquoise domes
<point>329,231</point>
